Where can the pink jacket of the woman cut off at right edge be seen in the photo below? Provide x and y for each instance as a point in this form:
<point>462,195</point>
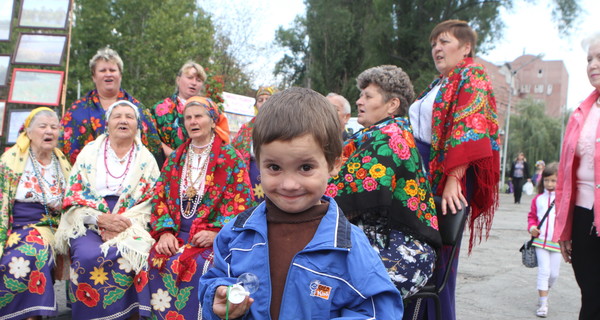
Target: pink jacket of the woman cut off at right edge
<point>567,182</point>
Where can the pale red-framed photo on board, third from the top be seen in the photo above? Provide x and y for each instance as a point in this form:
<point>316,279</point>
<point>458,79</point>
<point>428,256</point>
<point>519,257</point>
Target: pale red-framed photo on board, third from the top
<point>33,86</point>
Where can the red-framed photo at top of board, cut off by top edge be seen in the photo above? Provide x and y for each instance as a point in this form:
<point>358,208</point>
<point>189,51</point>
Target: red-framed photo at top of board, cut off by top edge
<point>44,14</point>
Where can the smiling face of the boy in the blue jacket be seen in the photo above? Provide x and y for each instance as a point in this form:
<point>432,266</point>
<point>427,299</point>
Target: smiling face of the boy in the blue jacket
<point>294,173</point>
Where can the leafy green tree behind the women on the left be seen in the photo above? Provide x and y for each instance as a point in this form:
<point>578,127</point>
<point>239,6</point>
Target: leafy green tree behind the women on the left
<point>153,37</point>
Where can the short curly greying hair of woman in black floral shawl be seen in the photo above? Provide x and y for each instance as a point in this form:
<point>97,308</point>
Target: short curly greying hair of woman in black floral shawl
<point>392,81</point>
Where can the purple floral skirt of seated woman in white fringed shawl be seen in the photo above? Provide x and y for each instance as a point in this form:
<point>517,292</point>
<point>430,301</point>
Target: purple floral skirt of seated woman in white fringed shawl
<point>105,286</point>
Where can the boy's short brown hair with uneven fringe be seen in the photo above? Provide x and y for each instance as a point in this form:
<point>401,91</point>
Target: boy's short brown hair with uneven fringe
<point>295,112</point>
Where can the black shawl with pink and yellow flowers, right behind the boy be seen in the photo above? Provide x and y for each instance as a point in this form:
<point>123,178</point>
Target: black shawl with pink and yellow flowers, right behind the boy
<point>383,177</point>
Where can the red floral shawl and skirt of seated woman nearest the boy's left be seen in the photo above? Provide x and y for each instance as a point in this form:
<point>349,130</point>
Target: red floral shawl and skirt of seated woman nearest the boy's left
<point>174,279</point>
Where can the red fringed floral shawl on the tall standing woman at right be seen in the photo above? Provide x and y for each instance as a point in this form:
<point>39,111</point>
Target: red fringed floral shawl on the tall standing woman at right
<point>465,132</point>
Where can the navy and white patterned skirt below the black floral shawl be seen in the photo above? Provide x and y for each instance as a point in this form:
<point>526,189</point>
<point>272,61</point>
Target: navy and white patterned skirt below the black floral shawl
<point>409,262</point>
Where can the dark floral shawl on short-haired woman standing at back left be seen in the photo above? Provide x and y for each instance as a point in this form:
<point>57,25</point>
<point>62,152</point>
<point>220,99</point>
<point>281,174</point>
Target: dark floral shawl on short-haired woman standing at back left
<point>85,120</point>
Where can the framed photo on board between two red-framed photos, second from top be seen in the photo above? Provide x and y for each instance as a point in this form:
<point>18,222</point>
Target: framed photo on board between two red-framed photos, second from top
<point>40,49</point>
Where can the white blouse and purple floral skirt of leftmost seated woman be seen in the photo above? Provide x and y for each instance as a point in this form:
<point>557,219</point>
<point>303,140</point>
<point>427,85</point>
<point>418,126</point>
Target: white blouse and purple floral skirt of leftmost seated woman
<point>31,207</point>
